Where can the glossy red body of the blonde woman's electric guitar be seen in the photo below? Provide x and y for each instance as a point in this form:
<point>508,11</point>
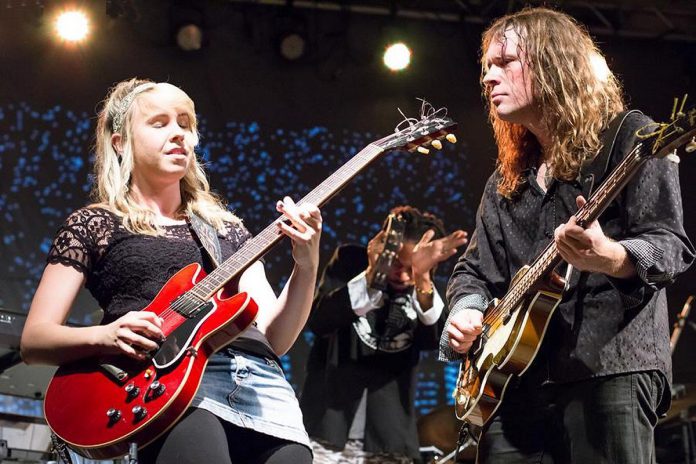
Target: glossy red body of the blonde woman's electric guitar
<point>99,406</point>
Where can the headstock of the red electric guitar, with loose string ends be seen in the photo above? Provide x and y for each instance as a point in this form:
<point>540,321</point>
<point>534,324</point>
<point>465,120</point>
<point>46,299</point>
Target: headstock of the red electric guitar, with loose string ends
<point>414,134</point>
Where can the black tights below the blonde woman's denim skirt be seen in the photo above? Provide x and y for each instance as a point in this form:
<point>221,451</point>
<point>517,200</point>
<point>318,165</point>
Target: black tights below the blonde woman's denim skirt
<point>200,437</point>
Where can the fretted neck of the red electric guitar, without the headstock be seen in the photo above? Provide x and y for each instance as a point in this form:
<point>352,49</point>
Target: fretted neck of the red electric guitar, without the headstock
<point>256,247</point>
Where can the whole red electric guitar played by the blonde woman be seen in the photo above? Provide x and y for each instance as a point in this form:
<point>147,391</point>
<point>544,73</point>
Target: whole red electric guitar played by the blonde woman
<point>99,406</point>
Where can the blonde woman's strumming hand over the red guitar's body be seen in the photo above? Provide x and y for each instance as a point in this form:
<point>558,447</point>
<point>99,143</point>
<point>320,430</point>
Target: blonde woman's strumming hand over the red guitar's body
<point>133,334</point>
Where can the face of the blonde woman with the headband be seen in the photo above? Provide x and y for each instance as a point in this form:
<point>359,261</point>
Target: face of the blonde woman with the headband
<point>163,137</point>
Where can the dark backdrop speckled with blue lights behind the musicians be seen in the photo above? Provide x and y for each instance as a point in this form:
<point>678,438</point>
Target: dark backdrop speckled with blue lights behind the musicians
<point>45,171</point>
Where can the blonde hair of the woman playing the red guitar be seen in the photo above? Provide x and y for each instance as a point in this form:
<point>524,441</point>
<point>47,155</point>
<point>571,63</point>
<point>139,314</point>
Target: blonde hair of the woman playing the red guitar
<point>112,171</point>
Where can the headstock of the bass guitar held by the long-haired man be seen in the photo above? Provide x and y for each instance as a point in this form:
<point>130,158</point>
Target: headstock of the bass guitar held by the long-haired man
<point>665,138</point>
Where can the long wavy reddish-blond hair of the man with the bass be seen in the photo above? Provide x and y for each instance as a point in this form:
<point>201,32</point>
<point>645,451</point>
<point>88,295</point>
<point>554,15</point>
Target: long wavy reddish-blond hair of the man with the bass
<point>576,103</point>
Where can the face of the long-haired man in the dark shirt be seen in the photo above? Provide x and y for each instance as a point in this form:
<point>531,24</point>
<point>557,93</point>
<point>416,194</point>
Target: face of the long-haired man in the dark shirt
<point>508,80</point>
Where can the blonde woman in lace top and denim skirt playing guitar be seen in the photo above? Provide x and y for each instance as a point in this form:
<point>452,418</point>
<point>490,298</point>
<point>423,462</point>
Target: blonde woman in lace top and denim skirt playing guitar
<point>136,235</point>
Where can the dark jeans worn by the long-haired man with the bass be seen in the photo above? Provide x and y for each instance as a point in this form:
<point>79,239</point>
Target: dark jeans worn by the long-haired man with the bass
<point>603,420</point>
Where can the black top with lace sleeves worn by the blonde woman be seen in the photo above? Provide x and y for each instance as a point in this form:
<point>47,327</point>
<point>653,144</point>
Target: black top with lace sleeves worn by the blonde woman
<point>125,271</point>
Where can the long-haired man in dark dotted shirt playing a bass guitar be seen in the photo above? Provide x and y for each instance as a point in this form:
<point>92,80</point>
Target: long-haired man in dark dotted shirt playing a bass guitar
<point>601,378</point>
